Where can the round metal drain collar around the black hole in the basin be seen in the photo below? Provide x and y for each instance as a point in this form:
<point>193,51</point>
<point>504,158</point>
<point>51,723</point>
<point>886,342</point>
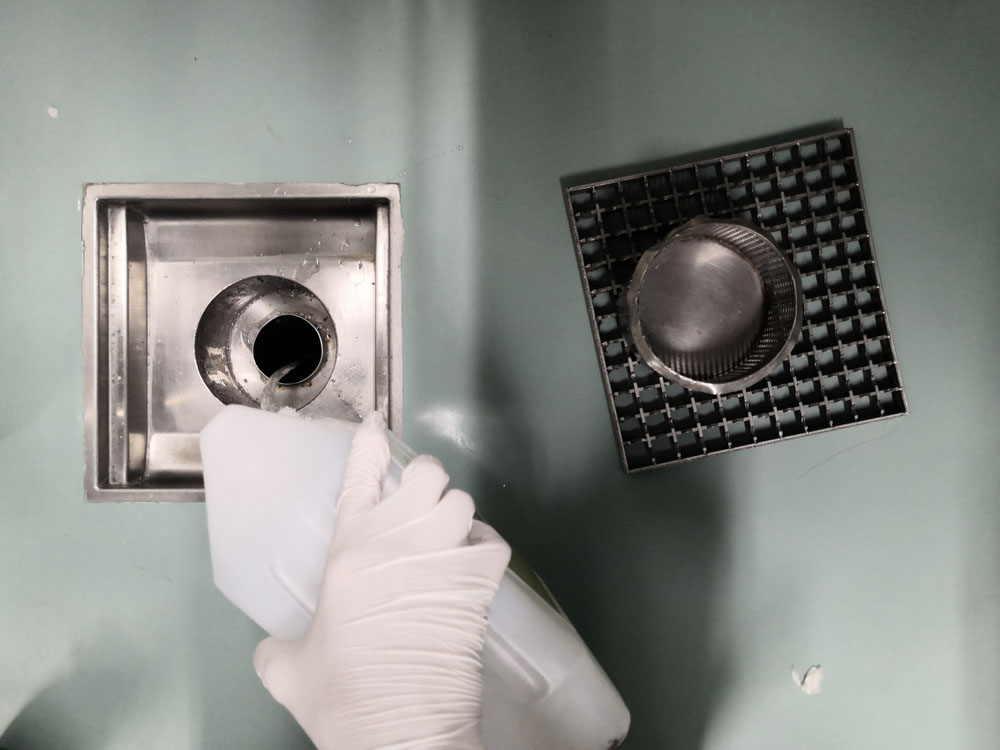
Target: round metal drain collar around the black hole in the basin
<point>228,330</point>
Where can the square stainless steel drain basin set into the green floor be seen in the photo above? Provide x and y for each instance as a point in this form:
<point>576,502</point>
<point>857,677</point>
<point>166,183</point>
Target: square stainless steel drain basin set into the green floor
<point>193,294</point>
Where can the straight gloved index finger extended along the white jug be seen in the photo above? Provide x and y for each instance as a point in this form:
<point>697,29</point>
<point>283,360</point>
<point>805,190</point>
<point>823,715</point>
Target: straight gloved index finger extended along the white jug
<point>366,469</point>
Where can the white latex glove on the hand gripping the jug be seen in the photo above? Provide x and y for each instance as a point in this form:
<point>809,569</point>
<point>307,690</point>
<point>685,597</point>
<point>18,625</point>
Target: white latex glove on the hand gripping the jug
<point>393,658</point>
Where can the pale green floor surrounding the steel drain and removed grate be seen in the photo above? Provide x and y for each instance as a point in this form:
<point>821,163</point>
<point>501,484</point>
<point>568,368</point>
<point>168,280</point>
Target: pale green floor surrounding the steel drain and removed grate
<point>874,550</point>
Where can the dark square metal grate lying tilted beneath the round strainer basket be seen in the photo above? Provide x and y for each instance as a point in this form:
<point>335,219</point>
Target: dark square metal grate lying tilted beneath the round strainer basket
<point>808,196</point>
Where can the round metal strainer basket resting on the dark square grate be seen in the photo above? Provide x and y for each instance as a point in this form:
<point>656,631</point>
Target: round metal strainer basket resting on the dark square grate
<point>715,306</point>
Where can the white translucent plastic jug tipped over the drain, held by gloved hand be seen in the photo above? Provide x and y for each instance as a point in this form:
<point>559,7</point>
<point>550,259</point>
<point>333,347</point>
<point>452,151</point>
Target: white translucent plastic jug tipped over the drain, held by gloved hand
<point>271,487</point>
